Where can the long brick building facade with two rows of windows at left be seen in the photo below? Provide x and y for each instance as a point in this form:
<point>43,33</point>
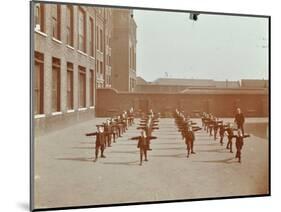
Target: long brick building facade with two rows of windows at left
<point>72,56</point>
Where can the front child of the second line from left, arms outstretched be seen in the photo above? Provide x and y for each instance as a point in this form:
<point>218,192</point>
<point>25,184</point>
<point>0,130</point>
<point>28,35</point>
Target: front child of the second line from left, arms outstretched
<point>143,140</point>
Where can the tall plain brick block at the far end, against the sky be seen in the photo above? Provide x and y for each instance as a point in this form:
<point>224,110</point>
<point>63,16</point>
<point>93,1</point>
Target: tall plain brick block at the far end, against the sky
<point>123,50</point>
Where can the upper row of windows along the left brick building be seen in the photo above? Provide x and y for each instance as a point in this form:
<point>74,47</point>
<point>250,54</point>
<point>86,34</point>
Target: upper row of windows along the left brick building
<point>39,16</point>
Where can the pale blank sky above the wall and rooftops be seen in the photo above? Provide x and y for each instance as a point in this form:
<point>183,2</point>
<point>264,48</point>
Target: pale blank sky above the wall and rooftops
<point>215,47</point>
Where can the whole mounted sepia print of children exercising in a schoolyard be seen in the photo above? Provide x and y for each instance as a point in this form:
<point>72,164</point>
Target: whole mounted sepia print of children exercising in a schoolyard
<point>143,105</point>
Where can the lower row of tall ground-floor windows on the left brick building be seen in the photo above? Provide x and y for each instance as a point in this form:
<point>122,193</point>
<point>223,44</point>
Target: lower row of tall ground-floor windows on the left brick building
<point>56,85</point>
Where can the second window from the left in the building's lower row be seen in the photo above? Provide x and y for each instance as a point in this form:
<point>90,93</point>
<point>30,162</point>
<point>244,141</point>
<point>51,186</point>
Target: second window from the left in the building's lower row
<point>56,85</point>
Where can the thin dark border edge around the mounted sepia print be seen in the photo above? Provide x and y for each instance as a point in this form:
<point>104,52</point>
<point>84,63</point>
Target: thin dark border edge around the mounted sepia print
<point>31,111</point>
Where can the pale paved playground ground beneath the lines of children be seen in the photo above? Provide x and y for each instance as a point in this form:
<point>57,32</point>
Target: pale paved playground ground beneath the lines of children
<point>65,174</point>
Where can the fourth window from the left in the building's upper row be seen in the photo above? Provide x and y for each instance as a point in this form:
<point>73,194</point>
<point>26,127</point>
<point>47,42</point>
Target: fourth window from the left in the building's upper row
<point>82,31</point>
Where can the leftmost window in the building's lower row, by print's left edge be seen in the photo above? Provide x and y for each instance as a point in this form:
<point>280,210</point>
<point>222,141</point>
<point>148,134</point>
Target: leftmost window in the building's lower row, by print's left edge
<point>39,84</point>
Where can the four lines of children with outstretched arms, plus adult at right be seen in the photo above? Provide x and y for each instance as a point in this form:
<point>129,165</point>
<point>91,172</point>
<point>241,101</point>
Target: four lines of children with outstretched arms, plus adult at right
<point>115,127</point>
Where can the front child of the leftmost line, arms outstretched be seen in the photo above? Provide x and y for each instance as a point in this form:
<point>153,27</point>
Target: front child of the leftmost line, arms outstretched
<point>100,141</point>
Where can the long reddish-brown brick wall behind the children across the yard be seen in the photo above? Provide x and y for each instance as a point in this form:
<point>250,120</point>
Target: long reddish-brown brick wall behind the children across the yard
<point>254,103</point>
